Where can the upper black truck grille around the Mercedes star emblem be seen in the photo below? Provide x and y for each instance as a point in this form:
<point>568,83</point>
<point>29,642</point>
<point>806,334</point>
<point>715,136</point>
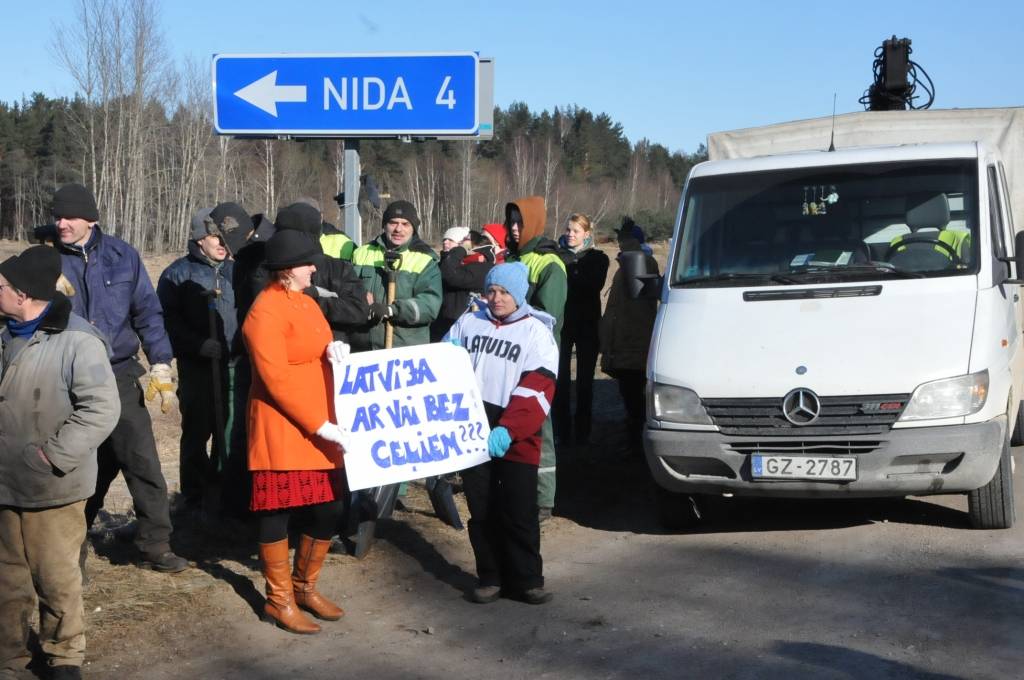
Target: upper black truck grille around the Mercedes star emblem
<point>863,414</point>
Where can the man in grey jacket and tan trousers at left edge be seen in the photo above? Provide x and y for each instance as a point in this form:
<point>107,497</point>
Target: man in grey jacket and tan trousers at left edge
<point>56,409</point>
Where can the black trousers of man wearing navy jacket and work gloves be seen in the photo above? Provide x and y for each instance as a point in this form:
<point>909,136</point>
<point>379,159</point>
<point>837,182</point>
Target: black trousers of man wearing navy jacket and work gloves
<point>133,451</point>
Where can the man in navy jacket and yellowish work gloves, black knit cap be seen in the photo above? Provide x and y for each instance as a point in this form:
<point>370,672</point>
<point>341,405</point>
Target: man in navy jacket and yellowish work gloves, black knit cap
<point>113,292</point>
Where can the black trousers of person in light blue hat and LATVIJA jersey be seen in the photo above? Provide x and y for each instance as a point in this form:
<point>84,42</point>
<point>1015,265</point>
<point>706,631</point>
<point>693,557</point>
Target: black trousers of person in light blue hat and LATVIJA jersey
<point>504,529</point>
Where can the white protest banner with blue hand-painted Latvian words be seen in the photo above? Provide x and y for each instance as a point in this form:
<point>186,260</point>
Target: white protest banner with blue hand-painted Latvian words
<point>412,413</point>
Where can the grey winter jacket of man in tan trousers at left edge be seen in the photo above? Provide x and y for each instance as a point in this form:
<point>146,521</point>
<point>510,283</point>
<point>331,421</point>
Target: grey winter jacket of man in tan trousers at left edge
<point>58,395</point>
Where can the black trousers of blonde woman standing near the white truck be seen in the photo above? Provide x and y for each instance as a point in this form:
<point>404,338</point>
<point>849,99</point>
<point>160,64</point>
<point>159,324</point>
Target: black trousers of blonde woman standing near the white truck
<point>585,338</point>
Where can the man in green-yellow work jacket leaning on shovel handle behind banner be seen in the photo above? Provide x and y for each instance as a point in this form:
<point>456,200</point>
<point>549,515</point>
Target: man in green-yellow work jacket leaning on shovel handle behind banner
<point>418,282</point>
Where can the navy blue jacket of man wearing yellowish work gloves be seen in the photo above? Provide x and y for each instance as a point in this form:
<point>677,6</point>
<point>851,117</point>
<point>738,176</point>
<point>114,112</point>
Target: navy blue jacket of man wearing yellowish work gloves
<point>114,293</point>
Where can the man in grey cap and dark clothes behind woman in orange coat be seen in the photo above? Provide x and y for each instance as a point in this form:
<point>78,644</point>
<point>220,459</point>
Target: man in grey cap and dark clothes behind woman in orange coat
<point>198,299</point>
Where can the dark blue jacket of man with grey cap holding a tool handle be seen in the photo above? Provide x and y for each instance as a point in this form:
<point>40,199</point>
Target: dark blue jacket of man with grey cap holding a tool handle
<point>182,289</point>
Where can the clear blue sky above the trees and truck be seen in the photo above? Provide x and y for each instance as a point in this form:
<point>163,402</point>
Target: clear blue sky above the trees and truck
<point>671,71</point>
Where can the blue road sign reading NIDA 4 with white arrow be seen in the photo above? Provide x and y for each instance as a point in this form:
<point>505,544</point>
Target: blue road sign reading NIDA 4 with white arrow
<point>347,95</point>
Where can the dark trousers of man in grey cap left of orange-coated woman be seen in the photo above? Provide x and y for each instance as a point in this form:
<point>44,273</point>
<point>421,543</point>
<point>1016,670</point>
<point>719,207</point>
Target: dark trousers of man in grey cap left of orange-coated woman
<point>198,469</point>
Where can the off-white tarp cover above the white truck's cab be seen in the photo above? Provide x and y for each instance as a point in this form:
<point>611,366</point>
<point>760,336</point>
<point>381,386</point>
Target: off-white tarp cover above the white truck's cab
<point>997,129</point>
